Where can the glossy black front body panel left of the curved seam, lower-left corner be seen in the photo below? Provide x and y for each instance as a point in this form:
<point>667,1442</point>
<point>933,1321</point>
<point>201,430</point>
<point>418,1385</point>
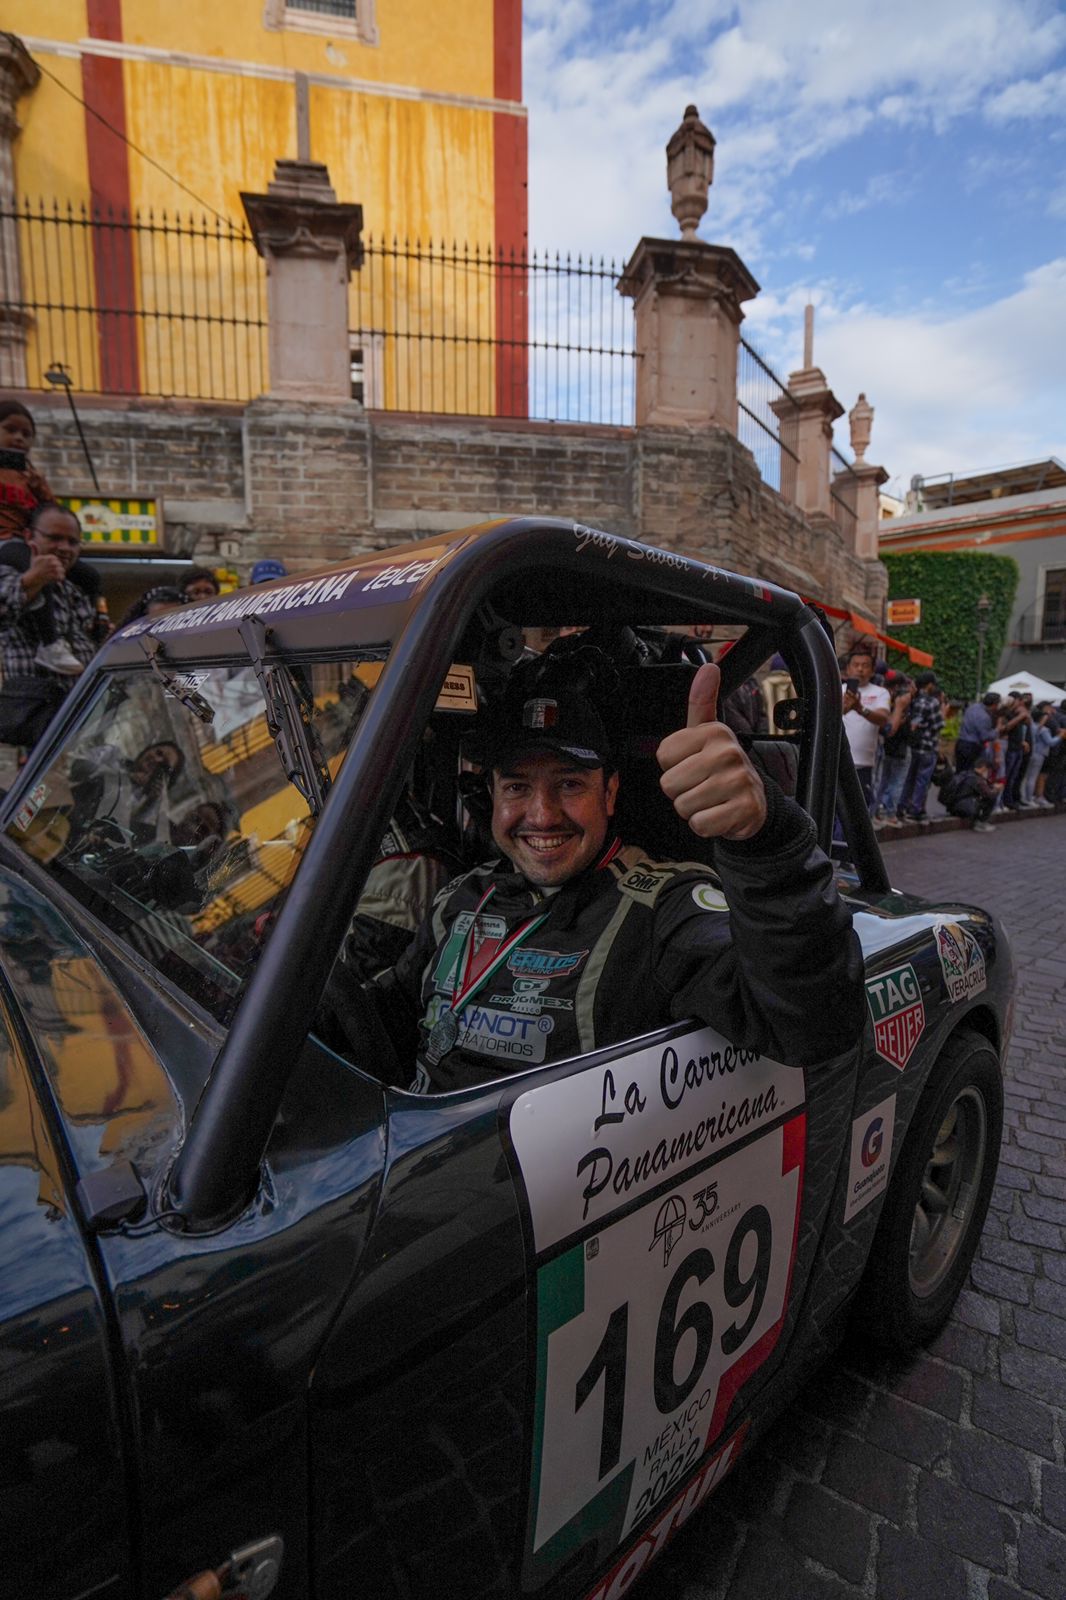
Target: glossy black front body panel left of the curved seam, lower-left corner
<point>63,1494</point>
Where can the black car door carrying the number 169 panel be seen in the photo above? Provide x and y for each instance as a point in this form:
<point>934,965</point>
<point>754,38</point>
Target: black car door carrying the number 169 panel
<point>575,1292</point>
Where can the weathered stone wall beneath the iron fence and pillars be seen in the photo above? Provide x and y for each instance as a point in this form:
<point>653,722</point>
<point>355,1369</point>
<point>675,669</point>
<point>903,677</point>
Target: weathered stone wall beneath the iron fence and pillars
<point>315,484</point>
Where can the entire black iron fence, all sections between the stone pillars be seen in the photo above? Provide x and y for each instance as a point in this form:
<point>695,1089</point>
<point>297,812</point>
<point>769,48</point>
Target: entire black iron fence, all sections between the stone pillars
<point>175,306</point>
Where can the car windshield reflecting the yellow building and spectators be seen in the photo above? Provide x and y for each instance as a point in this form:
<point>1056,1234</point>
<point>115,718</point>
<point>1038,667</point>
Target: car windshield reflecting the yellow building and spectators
<point>182,834</point>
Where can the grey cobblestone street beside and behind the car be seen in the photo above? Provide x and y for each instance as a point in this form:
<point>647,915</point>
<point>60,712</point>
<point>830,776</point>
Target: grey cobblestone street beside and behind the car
<point>944,1478</point>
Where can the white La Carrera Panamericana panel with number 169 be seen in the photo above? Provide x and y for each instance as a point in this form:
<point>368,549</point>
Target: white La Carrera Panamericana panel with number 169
<point>663,1196</point>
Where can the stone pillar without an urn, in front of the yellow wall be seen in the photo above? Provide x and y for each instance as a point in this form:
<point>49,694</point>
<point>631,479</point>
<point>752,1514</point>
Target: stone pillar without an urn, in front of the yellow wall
<point>310,244</point>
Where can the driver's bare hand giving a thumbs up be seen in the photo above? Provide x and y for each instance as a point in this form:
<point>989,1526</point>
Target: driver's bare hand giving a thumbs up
<point>707,775</point>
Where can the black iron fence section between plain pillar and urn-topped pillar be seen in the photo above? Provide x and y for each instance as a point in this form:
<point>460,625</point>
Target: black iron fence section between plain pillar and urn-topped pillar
<point>484,332</point>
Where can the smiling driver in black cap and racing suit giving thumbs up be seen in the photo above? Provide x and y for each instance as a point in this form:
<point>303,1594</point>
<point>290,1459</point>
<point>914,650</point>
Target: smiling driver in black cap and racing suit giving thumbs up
<point>574,940</point>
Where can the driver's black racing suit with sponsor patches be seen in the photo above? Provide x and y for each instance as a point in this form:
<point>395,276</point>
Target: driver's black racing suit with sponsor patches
<point>633,946</point>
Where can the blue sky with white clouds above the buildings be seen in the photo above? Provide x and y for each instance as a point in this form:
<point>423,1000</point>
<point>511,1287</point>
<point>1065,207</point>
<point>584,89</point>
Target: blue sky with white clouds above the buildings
<point>902,167</point>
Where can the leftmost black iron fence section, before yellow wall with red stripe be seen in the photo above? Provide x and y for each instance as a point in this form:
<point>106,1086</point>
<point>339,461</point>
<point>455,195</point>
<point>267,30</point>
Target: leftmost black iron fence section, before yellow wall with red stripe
<point>145,303</point>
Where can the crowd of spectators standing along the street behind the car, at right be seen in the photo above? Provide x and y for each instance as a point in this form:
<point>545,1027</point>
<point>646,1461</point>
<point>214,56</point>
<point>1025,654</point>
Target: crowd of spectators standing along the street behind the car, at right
<point>1009,756</point>
